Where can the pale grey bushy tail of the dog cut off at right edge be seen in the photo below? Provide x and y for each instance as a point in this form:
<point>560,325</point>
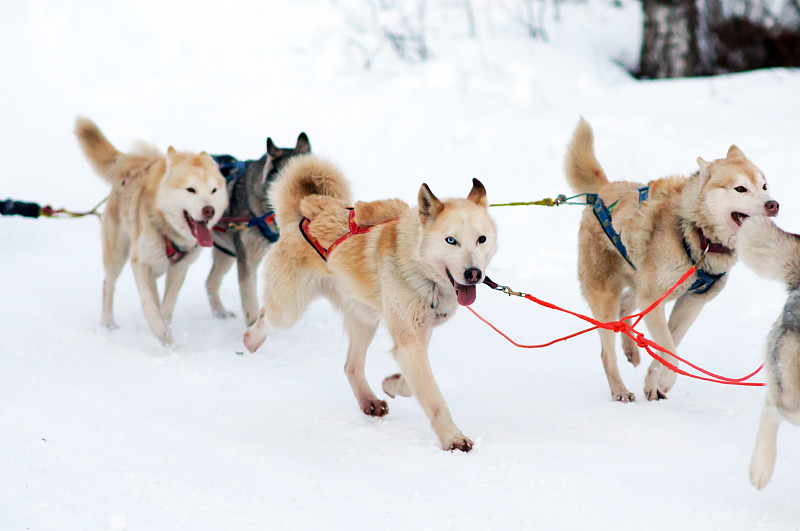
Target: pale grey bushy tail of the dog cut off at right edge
<point>769,251</point>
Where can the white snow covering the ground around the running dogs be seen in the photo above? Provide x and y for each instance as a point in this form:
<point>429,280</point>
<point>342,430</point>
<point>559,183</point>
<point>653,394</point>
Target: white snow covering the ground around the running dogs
<point>104,429</point>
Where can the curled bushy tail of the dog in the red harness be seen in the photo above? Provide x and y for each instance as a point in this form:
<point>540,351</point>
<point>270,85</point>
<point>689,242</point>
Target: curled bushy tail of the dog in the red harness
<point>303,176</point>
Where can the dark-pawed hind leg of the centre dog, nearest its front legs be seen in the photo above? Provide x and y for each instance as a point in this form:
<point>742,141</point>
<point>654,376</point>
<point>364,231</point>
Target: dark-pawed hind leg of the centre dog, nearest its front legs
<point>360,335</point>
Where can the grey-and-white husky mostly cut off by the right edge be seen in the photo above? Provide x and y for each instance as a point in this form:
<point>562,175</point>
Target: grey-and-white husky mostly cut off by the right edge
<point>775,254</point>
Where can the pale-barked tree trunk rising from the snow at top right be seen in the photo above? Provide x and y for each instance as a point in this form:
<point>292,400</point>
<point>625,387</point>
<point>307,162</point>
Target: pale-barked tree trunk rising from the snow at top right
<point>669,46</point>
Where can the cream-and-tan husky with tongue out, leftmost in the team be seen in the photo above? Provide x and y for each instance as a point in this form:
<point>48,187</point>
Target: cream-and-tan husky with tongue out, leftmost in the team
<point>160,211</point>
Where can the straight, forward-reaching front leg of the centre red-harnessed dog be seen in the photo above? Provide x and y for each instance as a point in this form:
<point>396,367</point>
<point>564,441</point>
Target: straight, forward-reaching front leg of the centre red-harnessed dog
<point>412,356</point>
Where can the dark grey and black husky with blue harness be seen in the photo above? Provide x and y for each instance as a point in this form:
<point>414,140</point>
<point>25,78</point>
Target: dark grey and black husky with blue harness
<point>247,183</point>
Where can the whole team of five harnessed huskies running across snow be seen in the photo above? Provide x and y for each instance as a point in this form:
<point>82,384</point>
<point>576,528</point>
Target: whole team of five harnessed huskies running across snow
<point>411,266</point>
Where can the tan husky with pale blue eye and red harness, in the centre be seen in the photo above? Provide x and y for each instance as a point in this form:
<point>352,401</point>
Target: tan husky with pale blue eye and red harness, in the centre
<point>411,272</point>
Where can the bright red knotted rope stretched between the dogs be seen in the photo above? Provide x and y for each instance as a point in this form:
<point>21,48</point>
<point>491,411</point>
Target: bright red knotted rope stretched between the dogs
<point>629,330</point>
